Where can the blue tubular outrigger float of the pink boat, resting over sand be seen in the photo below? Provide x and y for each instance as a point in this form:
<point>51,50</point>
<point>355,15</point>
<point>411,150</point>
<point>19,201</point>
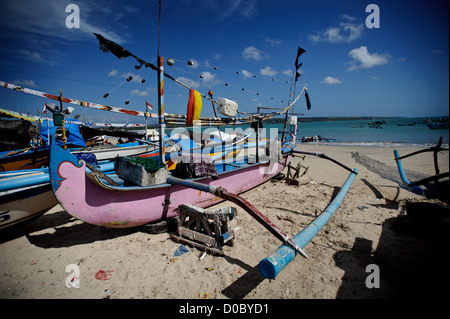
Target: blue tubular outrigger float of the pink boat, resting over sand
<point>272,265</point>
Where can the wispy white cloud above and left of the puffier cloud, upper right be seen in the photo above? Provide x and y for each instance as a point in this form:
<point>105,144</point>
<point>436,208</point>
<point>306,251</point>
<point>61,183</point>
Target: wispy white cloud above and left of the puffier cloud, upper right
<point>347,30</point>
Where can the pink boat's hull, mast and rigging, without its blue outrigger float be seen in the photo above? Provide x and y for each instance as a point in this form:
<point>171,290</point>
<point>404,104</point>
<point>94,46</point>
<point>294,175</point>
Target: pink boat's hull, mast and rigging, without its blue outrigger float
<point>111,203</point>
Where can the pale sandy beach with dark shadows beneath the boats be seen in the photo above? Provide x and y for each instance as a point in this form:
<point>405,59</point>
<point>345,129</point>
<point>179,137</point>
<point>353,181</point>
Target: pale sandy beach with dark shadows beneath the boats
<point>369,228</point>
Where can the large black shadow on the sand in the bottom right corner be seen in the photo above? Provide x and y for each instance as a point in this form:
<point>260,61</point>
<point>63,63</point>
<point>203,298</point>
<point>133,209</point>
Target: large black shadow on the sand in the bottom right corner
<point>412,256</point>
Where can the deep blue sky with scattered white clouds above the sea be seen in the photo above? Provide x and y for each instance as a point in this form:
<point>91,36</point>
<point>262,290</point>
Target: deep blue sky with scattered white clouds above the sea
<point>399,69</point>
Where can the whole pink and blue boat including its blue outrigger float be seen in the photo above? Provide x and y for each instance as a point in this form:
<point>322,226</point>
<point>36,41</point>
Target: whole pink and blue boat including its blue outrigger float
<point>107,200</point>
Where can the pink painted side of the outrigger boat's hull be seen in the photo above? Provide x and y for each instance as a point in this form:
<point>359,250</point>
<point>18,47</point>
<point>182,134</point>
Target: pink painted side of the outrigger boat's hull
<point>124,207</point>
